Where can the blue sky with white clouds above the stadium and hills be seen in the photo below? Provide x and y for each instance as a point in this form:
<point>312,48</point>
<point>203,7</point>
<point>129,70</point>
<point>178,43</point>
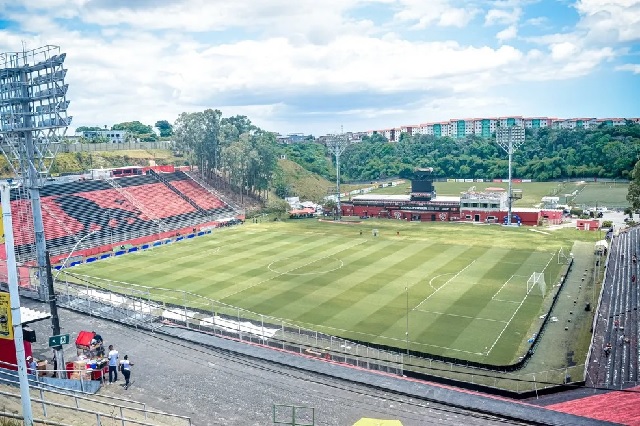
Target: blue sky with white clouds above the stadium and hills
<point>318,67</point>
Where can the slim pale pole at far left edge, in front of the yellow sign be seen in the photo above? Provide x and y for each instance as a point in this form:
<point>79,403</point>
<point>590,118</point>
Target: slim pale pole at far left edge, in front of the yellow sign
<point>14,296</point>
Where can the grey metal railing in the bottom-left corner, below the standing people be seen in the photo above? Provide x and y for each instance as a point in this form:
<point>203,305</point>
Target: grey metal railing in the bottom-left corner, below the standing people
<point>42,387</point>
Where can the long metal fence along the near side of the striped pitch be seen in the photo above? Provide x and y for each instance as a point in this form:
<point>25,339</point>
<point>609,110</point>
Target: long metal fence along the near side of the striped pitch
<point>150,308</point>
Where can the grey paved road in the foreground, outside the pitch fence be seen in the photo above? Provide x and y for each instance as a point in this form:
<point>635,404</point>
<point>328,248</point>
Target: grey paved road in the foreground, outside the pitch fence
<point>216,387</point>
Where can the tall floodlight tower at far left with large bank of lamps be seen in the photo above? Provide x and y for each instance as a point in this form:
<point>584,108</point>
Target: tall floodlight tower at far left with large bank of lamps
<point>33,119</point>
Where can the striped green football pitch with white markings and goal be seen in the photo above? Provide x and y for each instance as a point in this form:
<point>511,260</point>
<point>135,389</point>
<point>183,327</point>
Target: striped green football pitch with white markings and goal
<point>462,287</point>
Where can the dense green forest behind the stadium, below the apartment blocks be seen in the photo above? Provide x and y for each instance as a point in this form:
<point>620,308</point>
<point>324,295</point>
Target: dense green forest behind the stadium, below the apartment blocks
<point>607,152</point>
